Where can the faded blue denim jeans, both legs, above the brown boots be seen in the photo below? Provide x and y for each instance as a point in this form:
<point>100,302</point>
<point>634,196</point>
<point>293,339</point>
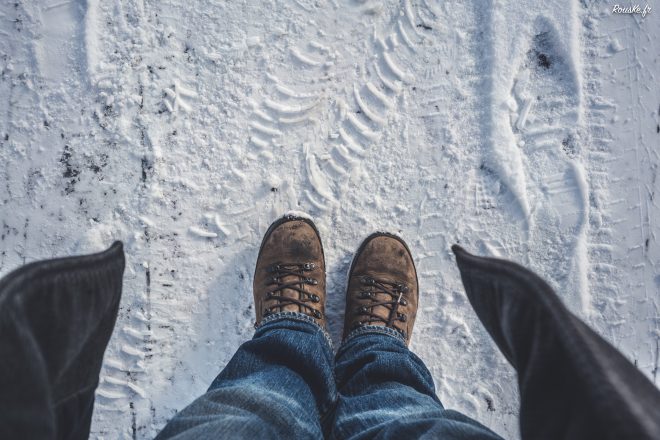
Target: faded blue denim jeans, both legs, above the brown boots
<point>286,383</point>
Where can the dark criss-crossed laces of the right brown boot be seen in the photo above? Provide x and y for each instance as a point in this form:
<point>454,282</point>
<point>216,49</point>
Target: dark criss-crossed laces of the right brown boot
<point>395,292</point>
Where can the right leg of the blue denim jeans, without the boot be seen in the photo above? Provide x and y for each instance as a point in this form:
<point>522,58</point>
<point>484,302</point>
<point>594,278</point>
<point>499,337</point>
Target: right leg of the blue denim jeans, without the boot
<point>386,391</point>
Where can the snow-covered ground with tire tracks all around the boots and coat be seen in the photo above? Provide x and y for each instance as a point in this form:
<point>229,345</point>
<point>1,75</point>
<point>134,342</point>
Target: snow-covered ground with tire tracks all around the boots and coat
<point>528,130</point>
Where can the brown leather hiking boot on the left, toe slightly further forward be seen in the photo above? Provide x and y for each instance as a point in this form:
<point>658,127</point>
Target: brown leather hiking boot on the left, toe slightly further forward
<point>290,271</point>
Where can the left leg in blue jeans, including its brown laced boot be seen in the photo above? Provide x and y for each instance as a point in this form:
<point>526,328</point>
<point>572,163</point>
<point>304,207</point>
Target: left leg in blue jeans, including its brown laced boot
<point>279,384</point>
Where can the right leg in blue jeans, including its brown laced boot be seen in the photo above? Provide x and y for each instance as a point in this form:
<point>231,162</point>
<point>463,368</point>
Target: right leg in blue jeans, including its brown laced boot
<point>385,390</point>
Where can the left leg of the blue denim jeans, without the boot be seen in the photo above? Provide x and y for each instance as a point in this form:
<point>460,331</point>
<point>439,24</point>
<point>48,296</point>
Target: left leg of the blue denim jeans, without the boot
<point>278,385</point>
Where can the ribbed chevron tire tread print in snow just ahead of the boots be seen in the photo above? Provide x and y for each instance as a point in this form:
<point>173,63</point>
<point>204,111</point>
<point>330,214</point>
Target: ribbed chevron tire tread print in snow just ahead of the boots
<point>359,117</point>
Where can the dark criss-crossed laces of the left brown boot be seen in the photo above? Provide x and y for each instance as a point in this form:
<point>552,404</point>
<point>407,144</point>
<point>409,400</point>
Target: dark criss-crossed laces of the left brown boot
<point>278,272</point>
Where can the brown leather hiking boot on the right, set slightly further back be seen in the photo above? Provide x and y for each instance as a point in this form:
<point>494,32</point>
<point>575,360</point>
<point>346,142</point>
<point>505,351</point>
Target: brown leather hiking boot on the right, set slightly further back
<point>382,286</point>
